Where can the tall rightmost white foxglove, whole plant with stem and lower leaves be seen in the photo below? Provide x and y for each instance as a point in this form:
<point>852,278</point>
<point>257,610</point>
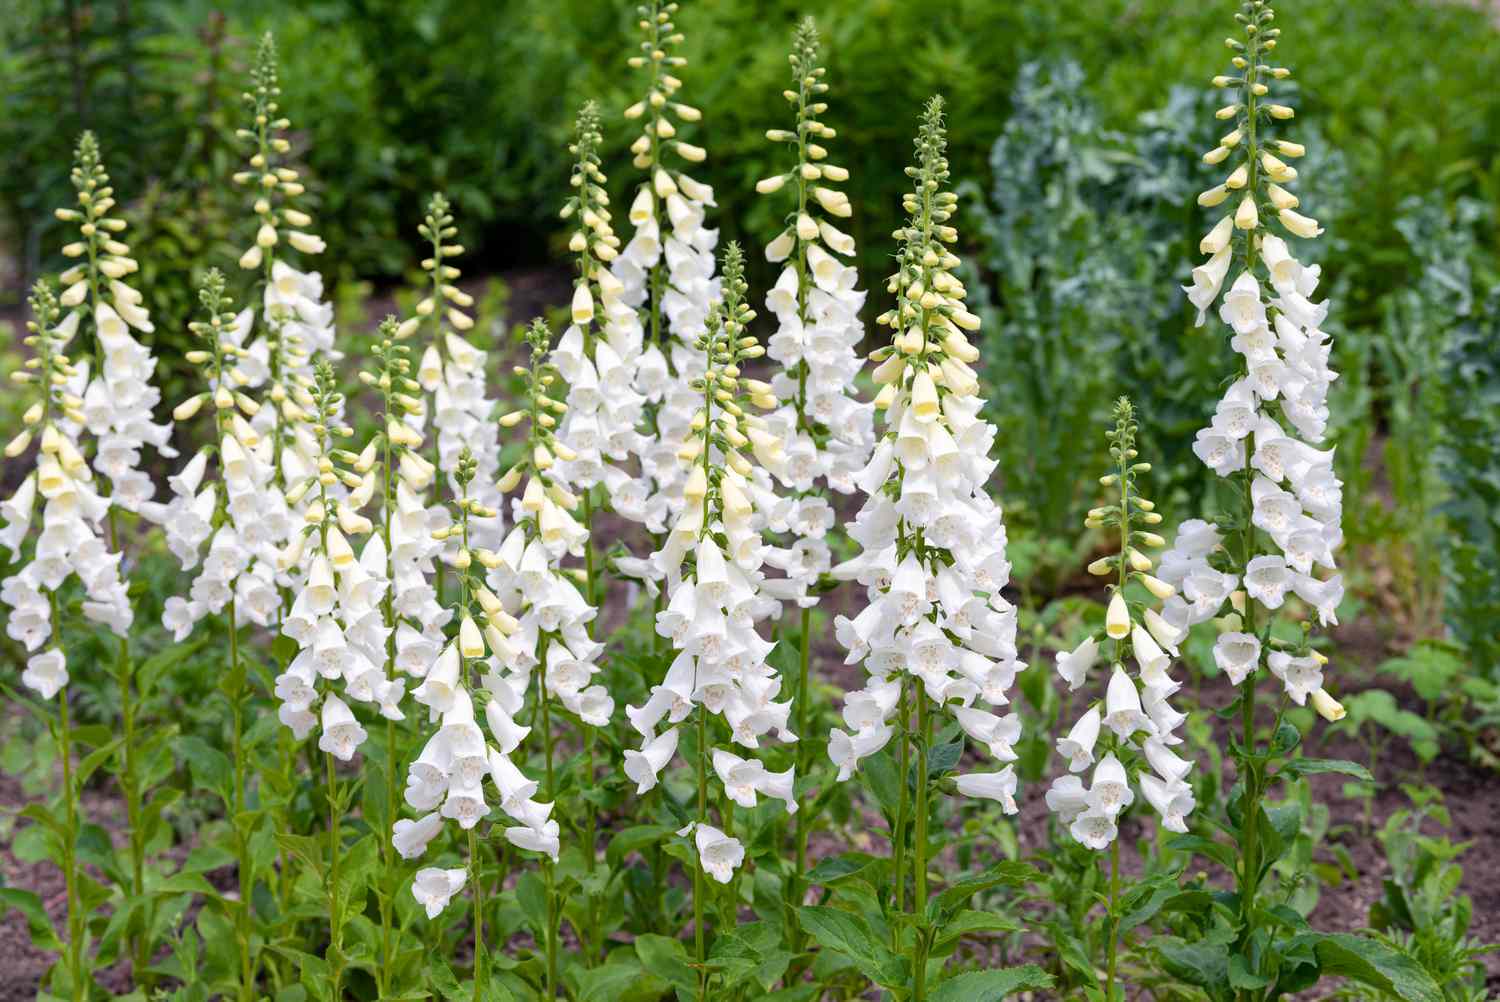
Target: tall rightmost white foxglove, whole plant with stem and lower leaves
<point>1280,535</point>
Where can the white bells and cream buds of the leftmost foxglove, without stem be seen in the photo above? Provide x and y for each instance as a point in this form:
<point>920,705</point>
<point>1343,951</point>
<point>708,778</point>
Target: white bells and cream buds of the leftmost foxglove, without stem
<point>73,536</point>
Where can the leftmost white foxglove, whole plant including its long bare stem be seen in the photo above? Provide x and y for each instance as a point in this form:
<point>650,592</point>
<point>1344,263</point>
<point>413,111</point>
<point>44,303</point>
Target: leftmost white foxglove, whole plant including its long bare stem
<point>68,542</point>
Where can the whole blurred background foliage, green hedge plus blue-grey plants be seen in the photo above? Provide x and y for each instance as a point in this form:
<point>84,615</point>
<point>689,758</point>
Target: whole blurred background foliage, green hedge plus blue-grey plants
<point>1076,130</point>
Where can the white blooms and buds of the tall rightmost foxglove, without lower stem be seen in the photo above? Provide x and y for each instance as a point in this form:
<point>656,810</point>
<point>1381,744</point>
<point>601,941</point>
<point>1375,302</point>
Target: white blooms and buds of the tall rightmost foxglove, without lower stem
<point>1267,427</point>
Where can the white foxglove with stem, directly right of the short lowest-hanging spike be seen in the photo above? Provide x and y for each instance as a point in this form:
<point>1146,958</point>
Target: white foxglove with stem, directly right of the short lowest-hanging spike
<point>553,617</point>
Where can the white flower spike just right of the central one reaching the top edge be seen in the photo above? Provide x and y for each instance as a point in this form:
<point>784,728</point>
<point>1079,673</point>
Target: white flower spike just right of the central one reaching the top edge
<point>826,431</point>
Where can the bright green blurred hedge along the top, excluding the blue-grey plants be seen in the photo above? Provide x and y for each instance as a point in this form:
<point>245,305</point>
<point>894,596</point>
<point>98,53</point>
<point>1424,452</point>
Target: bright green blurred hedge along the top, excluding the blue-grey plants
<point>478,97</point>
